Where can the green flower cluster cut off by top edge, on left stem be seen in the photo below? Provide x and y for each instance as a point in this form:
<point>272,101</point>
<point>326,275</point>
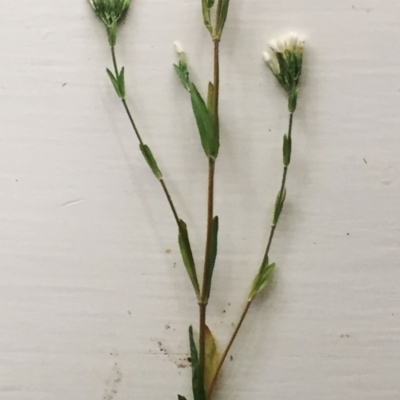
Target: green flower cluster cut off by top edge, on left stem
<point>111,13</point>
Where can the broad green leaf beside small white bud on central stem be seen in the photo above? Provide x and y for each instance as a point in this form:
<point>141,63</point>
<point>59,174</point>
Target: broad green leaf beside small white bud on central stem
<point>209,139</point>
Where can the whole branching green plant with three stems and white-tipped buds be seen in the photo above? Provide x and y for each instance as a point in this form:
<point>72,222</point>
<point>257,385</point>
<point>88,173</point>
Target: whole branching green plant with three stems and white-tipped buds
<point>285,61</point>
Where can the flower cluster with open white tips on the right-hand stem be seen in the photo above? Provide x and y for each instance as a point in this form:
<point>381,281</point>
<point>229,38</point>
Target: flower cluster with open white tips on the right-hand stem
<point>286,61</point>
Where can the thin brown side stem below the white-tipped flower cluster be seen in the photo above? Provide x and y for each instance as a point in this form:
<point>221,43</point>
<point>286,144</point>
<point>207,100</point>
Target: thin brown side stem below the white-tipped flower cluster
<point>249,302</point>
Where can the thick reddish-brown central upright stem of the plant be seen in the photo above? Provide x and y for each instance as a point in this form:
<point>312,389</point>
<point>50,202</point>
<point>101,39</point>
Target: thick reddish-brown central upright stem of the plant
<point>210,207</point>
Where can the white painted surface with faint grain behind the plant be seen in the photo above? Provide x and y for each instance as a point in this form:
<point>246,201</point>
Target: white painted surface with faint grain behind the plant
<point>87,287</point>
